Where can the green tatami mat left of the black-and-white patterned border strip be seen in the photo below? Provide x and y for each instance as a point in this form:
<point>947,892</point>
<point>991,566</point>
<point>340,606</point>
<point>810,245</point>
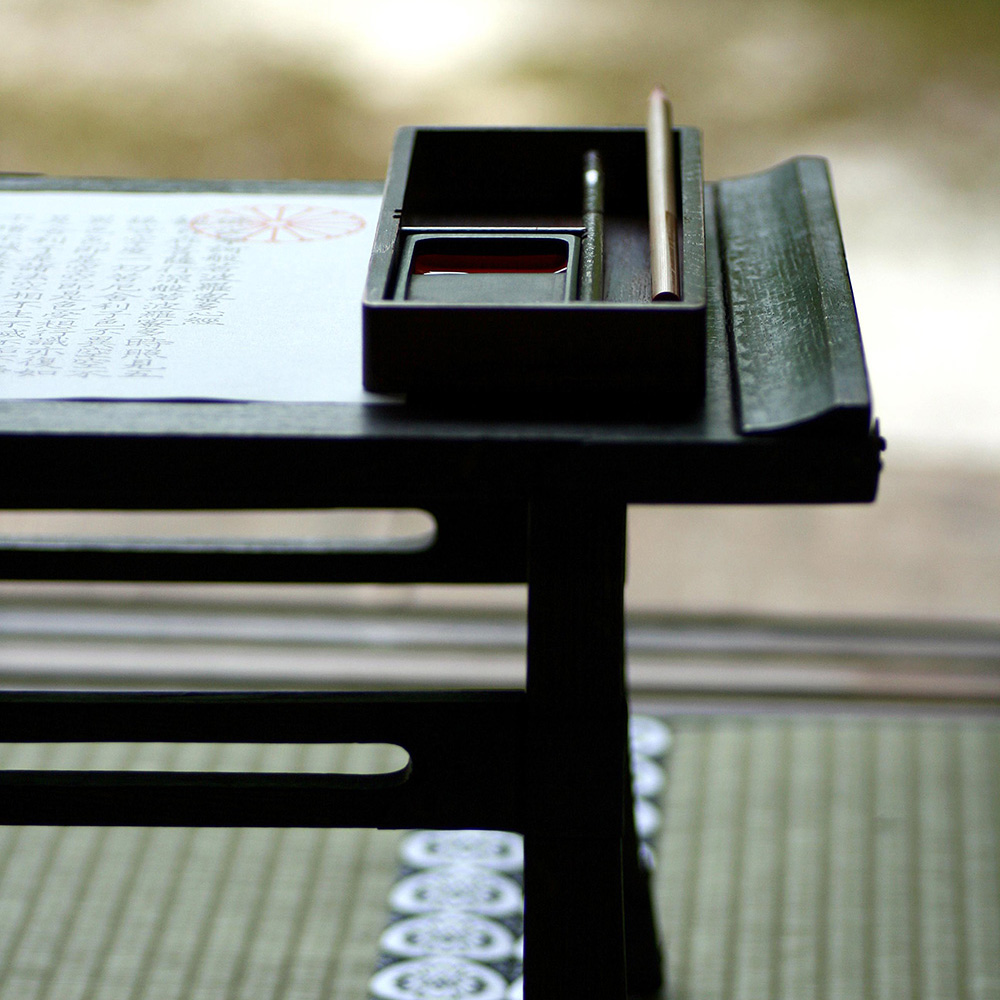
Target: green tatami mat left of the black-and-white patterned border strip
<point>137,914</point>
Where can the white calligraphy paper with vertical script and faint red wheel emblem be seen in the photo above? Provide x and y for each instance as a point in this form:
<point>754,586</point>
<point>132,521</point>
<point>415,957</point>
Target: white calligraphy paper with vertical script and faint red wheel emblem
<point>122,295</point>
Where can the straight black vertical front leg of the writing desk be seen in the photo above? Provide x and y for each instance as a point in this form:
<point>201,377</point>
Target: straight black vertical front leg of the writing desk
<point>577,716</point>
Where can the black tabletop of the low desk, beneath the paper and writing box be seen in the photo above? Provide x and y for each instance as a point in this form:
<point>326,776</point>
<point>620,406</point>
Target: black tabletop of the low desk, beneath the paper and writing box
<point>188,455</point>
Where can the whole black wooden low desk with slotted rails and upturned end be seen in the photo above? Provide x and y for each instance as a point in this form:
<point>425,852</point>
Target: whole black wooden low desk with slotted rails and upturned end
<point>516,499</point>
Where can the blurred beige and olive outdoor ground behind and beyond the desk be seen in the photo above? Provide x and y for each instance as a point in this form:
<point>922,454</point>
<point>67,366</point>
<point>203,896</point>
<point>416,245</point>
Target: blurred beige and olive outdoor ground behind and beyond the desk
<point>900,95</point>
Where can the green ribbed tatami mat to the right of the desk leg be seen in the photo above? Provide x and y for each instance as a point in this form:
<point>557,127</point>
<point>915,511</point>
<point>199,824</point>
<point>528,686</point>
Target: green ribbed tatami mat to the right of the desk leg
<point>832,858</point>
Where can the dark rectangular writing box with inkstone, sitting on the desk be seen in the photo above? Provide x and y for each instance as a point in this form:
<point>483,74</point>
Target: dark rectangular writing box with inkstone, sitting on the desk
<point>475,279</point>
